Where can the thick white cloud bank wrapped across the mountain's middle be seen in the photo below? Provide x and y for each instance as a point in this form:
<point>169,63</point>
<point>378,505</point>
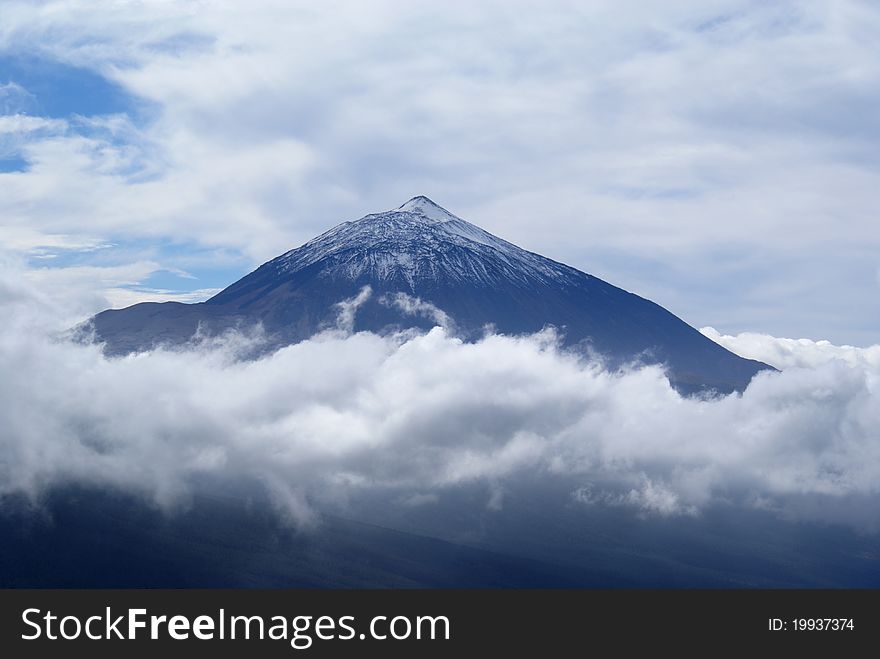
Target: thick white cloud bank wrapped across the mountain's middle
<point>417,416</point>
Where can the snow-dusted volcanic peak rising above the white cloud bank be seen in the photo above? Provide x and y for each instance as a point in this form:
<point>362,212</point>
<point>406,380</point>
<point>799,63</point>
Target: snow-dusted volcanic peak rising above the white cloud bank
<point>424,265</point>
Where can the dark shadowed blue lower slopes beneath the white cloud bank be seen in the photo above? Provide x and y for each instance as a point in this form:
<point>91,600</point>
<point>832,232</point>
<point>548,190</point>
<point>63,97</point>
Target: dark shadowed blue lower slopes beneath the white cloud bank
<point>86,537</point>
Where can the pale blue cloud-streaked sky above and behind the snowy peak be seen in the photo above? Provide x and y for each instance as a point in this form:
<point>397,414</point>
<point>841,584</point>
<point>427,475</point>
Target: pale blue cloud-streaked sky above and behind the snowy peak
<point>717,157</point>
